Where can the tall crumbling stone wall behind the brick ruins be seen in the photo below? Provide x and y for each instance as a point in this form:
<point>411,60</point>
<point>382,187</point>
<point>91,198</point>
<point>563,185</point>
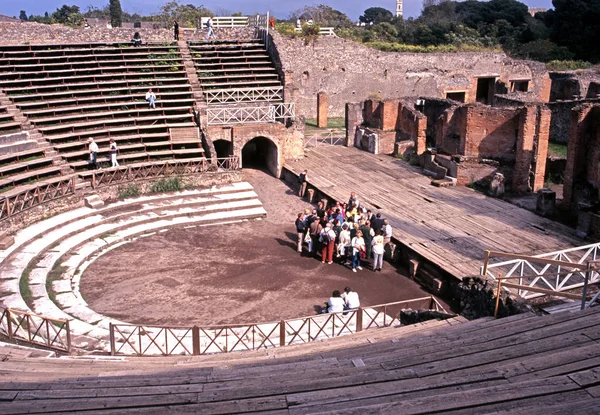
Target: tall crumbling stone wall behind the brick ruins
<point>350,72</point>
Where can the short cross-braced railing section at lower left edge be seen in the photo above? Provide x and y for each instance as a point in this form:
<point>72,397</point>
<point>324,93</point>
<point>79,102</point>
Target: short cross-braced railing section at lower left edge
<point>36,329</point>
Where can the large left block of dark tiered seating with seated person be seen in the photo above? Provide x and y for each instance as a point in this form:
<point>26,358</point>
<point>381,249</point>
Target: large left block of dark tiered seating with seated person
<point>70,93</point>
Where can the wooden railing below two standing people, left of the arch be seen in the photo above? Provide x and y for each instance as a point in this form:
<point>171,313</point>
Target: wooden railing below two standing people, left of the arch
<point>153,170</point>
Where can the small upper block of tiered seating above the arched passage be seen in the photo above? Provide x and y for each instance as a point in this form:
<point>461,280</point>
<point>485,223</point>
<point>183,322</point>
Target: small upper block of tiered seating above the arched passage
<point>230,66</point>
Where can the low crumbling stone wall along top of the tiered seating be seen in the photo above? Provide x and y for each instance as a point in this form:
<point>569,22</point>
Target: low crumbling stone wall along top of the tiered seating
<point>37,33</point>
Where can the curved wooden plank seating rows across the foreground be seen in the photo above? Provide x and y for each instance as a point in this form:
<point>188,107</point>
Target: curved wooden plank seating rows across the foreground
<point>520,364</point>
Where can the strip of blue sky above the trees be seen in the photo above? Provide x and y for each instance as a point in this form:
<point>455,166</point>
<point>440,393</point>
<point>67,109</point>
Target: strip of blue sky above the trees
<point>280,8</point>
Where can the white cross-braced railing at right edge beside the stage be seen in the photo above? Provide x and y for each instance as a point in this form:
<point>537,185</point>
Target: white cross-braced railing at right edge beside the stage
<point>544,274</point>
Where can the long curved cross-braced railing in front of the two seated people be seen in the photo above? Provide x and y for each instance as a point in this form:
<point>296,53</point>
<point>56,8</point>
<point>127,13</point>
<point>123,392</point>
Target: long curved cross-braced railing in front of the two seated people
<point>151,340</point>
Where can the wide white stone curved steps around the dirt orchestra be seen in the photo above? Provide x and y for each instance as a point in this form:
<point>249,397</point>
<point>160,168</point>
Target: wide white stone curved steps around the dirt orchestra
<point>68,242</point>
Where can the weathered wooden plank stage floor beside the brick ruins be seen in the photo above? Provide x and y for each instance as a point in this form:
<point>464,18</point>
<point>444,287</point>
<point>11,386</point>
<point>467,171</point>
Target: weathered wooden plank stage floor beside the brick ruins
<point>448,227</point>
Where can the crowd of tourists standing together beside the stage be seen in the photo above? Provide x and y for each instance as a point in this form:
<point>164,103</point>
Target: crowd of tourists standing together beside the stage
<point>348,231</point>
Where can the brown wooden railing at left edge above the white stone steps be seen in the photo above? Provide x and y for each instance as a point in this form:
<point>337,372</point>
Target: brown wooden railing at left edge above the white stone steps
<point>28,198</point>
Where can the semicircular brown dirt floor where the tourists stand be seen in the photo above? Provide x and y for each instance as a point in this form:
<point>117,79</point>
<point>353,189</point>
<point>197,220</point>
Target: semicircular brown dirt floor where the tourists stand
<point>227,274</point>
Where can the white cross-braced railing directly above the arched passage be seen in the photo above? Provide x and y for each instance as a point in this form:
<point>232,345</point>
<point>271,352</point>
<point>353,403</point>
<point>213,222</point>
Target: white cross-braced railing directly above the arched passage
<point>250,114</point>
